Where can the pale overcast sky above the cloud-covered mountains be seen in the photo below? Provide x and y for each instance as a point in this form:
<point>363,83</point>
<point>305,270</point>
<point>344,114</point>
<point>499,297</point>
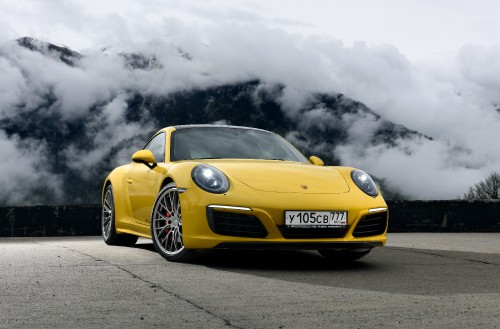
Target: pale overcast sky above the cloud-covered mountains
<point>420,29</point>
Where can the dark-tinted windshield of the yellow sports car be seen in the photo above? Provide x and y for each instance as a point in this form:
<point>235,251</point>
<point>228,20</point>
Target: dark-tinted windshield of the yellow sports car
<point>230,143</point>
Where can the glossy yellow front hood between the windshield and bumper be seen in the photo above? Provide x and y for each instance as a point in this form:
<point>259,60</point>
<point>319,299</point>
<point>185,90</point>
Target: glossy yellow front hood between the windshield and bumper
<point>285,177</point>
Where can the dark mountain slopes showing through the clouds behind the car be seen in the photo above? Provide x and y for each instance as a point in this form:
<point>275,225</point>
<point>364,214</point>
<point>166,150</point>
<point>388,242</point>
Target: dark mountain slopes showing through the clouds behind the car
<point>79,161</point>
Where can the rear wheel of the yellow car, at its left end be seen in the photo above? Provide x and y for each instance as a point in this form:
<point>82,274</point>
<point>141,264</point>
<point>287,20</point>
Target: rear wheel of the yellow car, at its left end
<point>108,226</point>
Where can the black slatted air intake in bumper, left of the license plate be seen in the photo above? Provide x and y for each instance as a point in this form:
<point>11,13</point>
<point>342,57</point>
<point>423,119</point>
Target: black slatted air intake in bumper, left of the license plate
<point>235,224</point>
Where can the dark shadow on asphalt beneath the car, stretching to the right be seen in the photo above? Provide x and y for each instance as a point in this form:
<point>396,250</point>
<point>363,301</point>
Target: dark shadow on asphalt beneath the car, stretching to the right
<point>391,270</point>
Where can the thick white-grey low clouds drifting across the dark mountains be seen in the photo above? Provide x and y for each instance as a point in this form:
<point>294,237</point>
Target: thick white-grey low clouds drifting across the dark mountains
<point>452,103</point>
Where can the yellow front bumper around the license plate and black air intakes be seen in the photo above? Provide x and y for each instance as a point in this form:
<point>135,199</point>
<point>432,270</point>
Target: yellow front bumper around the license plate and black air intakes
<point>269,208</point>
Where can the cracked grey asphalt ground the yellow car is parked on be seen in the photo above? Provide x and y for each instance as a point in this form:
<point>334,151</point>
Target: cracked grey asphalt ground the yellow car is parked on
<point>417,281</point>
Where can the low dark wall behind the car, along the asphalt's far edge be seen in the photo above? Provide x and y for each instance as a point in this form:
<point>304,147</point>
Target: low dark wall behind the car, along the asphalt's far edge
<point>405,216</point>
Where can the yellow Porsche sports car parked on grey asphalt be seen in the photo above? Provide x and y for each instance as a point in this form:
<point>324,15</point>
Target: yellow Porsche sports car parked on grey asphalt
<point>210,186</point>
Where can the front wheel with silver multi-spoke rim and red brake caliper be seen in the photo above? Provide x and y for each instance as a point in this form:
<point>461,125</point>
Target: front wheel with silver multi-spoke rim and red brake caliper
<point>166,226</point>
